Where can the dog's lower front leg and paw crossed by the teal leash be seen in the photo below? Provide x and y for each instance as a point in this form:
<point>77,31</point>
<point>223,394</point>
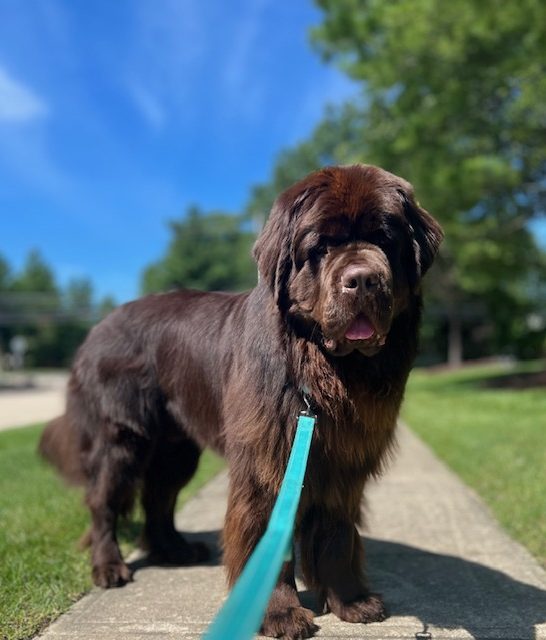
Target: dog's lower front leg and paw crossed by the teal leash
<point>246,520</point>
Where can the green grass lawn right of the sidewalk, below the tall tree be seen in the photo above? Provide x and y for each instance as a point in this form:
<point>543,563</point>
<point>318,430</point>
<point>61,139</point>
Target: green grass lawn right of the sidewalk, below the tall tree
<point>494,438</point>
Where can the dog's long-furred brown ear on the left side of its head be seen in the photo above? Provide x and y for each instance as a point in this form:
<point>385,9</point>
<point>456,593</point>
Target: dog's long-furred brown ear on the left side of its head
<point>273,248</point>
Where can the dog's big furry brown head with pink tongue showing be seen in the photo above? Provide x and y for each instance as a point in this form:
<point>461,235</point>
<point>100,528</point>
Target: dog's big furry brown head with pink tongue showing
<point>343,251</point>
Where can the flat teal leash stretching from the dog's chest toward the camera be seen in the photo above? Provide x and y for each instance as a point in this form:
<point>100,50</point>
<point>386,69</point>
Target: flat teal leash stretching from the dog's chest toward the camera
<point>241,615</point>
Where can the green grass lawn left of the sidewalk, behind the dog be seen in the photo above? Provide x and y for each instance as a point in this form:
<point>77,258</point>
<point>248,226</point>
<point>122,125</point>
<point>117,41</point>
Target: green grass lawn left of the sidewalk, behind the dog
<point>42,571</point>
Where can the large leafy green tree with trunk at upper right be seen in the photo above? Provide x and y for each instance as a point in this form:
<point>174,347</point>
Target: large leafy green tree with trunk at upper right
<point>455,101</point>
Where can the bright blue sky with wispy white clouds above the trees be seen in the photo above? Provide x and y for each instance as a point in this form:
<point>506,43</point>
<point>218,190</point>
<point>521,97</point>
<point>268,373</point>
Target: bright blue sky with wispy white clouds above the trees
<point>115,116</point>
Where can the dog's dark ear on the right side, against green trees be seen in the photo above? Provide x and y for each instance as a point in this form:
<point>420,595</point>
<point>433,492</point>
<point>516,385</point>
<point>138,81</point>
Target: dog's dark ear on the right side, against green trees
<point>427,235</point>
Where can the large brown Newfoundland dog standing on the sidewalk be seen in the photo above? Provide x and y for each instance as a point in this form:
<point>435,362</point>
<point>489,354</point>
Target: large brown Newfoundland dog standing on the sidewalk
<point>334,317</point>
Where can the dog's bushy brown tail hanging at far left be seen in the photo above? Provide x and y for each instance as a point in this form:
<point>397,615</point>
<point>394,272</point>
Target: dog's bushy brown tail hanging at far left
<point>60,446</point>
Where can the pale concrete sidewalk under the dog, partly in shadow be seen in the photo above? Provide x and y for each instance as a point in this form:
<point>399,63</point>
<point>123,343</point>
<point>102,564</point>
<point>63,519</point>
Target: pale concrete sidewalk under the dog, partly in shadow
<point>444,567</point>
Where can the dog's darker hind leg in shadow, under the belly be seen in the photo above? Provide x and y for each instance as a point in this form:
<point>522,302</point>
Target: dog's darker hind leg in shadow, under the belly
<point>172,465</point>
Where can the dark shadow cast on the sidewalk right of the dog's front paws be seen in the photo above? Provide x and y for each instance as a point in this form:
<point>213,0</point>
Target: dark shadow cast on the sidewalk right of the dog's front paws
<point>450,592</point>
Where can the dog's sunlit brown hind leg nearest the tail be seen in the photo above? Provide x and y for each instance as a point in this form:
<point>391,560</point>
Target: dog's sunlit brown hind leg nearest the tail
<point>114,468</point>
